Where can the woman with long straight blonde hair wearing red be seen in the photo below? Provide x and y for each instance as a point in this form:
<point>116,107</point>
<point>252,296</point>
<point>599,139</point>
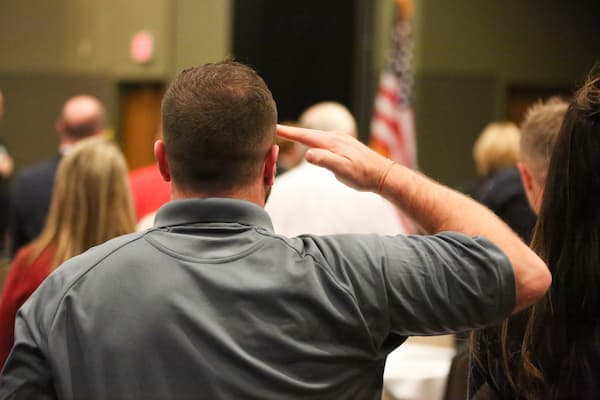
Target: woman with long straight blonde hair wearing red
<point>91,203</point>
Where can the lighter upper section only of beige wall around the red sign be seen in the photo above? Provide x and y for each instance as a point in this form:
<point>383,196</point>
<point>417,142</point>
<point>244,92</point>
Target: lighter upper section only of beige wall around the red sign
<point>93,37</point>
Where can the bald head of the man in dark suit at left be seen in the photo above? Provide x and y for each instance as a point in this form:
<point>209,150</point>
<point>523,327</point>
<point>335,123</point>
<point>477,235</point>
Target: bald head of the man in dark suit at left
<point>82,116</point>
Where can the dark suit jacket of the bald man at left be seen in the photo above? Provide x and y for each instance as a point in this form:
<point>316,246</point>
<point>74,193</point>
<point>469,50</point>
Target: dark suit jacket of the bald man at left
<point>31,196</point>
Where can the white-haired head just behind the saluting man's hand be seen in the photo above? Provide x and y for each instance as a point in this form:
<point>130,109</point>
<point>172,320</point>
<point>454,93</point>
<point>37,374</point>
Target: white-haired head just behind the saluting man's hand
<point>328,116</point>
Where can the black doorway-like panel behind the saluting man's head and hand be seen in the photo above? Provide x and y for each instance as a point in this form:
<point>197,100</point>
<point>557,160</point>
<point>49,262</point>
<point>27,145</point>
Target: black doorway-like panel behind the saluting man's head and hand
<point>302,49</point>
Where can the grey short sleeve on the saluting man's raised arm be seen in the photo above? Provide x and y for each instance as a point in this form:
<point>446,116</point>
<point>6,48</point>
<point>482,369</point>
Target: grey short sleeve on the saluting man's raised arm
<point>423,285</point>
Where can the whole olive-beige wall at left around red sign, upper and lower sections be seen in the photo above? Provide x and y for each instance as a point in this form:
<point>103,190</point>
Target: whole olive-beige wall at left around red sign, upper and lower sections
<point>50,50</point>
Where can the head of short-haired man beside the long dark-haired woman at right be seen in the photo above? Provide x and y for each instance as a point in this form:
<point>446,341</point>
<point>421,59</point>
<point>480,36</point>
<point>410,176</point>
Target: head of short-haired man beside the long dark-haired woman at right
<point>539,131</point>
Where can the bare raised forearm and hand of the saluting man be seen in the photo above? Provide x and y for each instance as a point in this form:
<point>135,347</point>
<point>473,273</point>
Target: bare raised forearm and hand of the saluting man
<point>433,206</point>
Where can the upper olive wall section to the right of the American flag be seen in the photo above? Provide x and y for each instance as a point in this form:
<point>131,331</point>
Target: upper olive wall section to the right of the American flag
<point>533,41</point>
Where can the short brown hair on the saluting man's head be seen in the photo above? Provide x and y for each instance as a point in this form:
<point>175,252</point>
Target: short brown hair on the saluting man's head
<point>219,122</point>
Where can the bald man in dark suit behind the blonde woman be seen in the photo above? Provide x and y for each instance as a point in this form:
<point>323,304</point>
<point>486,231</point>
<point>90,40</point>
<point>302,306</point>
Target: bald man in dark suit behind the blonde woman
<point>81,116</point>
